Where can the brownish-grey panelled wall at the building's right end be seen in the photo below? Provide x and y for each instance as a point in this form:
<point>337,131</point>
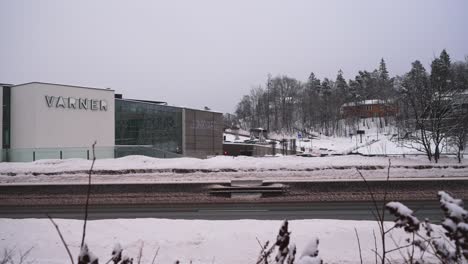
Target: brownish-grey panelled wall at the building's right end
<point>203,133</point>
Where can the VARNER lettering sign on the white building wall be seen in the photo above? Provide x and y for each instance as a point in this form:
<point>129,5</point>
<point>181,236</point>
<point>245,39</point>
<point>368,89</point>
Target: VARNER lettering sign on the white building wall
<point>76,103</point>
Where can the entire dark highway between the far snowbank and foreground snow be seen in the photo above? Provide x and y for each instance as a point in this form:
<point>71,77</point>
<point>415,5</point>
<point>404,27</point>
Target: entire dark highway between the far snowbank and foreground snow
<point>291,200</point>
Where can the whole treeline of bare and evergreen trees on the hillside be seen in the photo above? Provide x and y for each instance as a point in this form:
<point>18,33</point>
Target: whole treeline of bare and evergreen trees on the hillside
<point>432,106</point>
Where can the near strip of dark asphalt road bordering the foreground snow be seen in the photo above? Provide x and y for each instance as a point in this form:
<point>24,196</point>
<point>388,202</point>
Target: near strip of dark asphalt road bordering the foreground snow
<point>264,211</point>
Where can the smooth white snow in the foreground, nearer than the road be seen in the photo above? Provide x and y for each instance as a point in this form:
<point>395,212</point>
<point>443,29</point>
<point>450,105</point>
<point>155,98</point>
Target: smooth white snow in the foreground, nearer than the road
<point>199,241</point>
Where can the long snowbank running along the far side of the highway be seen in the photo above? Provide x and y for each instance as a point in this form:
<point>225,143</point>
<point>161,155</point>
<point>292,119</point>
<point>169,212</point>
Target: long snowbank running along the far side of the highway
<point>224,168</point>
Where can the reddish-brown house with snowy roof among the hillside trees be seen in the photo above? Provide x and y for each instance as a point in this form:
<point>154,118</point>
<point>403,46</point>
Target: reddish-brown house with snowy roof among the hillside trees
<point>369,108</point>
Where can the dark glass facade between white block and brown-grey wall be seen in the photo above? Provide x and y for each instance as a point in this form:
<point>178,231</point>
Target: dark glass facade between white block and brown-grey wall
<point>150,124</point>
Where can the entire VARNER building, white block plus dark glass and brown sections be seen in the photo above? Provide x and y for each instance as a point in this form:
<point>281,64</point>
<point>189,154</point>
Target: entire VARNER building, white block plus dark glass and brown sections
<point>54,121</point>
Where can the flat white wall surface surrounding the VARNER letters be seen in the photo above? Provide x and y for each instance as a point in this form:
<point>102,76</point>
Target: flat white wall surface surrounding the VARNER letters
<point>35,124</point>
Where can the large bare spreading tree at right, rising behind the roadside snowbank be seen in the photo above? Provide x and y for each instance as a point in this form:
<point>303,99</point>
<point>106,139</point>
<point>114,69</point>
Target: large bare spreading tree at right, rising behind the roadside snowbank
<point>432,104</point>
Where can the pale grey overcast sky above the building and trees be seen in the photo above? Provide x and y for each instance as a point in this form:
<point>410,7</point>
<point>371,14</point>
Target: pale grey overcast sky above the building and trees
<point>210,53</point>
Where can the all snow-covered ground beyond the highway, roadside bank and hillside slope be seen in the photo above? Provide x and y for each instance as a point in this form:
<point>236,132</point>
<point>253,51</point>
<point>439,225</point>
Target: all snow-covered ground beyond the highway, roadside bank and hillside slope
<point>140,169</point>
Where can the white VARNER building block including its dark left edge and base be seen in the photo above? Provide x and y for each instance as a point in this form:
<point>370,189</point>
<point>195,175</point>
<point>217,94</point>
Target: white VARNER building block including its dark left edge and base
<point>58,119</point>
